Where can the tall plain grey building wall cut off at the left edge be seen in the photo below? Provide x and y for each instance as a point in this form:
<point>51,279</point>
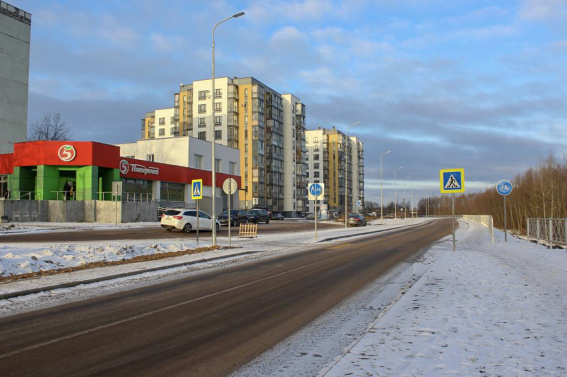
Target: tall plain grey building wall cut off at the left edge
<point>15,30</point>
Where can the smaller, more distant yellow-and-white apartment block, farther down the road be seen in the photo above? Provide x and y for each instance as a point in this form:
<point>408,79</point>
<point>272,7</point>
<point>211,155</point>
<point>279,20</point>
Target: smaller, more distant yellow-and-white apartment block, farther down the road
<point>326,164</point>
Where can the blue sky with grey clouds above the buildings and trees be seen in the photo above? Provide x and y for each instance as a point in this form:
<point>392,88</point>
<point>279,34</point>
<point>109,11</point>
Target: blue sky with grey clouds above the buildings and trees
<point>478,85</point>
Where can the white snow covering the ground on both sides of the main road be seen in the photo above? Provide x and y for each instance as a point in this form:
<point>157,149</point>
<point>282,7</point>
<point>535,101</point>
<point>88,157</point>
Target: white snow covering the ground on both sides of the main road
<point>493,309</point>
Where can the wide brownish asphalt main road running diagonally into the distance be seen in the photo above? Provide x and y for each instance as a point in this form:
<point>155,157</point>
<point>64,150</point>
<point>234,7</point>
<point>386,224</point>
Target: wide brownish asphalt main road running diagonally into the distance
<point>205,325</point>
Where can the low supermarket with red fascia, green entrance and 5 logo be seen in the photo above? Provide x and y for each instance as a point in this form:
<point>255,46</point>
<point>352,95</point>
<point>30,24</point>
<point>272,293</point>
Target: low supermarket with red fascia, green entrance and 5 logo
<point>76,181</point>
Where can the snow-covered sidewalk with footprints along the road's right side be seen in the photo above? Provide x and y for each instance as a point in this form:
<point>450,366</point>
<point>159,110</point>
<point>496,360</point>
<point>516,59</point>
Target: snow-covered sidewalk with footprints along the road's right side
<point>488,309</point>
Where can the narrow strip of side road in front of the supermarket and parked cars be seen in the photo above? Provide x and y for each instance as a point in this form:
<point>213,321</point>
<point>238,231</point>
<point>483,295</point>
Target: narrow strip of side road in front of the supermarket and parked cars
<point>150,233</point>
